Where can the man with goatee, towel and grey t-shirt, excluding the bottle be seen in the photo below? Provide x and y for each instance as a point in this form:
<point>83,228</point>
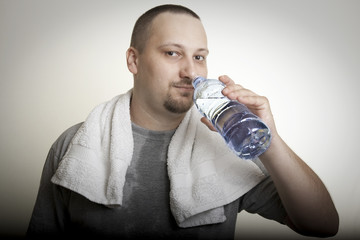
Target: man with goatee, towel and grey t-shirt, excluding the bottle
<point>168,185</point>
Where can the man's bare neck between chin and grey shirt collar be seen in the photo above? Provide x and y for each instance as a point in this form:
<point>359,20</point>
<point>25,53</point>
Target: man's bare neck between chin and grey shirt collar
<point>144,117</point>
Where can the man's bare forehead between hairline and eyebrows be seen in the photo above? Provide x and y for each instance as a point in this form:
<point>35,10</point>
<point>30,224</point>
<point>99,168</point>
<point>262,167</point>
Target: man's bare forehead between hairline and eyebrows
<point>178,28</point>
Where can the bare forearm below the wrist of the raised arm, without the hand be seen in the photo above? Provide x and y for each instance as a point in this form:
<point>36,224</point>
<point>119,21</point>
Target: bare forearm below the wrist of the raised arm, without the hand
<point>304,196</point>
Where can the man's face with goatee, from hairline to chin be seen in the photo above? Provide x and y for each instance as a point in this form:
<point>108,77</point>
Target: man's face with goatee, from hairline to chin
<point>174,55</point>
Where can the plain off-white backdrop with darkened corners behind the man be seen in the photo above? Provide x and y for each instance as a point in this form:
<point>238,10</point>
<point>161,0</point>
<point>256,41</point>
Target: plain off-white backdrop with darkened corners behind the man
<point>59,59</point>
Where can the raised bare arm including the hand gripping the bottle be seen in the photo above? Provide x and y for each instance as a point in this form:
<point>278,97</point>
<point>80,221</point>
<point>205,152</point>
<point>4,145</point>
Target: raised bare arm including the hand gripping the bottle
<point>307,202</point>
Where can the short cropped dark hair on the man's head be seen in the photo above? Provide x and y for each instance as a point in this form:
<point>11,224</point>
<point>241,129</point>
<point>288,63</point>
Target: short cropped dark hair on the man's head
<point>141,29</point>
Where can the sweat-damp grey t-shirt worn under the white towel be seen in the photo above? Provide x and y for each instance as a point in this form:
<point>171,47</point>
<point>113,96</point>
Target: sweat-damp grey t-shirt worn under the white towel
<point>145,213</point>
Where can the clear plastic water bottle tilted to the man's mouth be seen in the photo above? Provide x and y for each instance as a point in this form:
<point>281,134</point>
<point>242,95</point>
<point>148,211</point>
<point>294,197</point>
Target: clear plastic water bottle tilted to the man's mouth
<point>245,133</point>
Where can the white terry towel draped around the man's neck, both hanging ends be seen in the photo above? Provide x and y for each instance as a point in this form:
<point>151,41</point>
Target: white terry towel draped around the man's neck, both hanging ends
<point>204,174</point>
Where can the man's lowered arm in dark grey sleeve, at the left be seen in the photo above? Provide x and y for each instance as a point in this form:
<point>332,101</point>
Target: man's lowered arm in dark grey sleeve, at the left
<point>50,214</point>
